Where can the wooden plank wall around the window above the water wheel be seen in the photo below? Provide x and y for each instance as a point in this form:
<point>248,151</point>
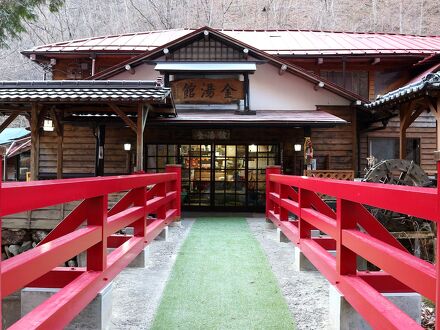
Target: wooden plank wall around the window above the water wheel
<point>423,127</point>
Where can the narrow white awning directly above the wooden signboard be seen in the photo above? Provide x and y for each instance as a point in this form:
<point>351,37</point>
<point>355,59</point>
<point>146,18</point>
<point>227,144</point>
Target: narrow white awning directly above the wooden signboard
<point>225,67</point>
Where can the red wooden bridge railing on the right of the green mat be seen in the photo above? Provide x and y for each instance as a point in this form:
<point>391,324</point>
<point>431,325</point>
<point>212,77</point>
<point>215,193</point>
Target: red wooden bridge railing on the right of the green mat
<point>401,271</point>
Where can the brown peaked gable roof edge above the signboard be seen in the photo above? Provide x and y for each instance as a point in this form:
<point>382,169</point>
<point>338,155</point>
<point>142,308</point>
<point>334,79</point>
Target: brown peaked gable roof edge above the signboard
<point>274,60</point>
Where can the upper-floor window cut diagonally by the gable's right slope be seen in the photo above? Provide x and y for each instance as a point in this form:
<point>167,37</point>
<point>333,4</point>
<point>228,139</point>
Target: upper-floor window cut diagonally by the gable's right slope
<point>355,81</point>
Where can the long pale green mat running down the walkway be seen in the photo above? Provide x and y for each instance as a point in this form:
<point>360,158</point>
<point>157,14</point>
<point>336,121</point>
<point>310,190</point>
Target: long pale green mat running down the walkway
<point>222,280</point>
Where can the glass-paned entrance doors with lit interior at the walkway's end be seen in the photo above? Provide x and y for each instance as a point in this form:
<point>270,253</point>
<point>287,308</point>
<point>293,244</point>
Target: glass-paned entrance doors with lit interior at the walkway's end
<point>218,176</point>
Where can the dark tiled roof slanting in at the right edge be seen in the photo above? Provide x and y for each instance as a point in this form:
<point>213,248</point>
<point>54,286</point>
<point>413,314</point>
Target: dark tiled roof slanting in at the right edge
<point>400,95</point>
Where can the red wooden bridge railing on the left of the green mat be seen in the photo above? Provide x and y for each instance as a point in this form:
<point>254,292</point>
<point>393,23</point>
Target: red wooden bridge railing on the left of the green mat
<point>151,203</point>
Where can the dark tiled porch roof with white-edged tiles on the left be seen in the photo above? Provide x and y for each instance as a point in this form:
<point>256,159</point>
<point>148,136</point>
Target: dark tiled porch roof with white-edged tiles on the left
<point>82,91</point>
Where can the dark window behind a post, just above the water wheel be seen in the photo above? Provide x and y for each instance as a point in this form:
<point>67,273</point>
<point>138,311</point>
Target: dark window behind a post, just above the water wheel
<point>389,148</point>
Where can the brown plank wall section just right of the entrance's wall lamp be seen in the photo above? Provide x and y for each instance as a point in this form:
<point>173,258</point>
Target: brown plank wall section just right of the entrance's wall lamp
<point>335,147</point>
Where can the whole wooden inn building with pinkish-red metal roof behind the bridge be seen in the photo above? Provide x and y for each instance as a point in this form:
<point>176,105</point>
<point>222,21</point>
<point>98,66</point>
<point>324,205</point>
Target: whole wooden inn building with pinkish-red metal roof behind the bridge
<point>230,104</point>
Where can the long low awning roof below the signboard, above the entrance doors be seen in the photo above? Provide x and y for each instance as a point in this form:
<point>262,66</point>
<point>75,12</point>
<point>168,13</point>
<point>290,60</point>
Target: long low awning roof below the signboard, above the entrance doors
<point>262,117</point>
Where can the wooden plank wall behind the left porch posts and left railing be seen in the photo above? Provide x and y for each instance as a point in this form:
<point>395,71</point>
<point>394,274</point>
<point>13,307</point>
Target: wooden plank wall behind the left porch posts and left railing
<point>79,146</point>
